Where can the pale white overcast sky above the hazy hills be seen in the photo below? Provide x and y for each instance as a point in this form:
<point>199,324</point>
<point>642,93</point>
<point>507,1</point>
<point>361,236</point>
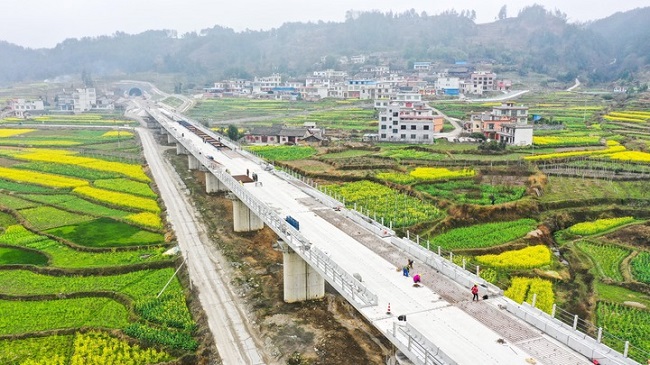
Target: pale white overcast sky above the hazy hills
<point>44,23</point>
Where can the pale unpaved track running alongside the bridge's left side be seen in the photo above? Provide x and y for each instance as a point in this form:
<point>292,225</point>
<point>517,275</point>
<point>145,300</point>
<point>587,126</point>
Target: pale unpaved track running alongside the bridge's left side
<point>208,270</point>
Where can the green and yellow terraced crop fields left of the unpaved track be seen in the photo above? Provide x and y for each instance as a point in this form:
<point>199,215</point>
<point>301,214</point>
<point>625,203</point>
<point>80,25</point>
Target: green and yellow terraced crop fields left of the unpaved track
<point>53,218</point>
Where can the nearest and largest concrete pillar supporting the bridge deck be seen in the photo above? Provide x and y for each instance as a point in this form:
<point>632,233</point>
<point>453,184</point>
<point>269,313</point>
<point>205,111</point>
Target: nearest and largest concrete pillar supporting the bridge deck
<point>301,281</point>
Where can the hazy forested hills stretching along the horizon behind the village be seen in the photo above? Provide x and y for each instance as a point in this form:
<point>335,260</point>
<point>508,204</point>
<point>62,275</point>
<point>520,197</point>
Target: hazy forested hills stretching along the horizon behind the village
<point>535,40</point>
